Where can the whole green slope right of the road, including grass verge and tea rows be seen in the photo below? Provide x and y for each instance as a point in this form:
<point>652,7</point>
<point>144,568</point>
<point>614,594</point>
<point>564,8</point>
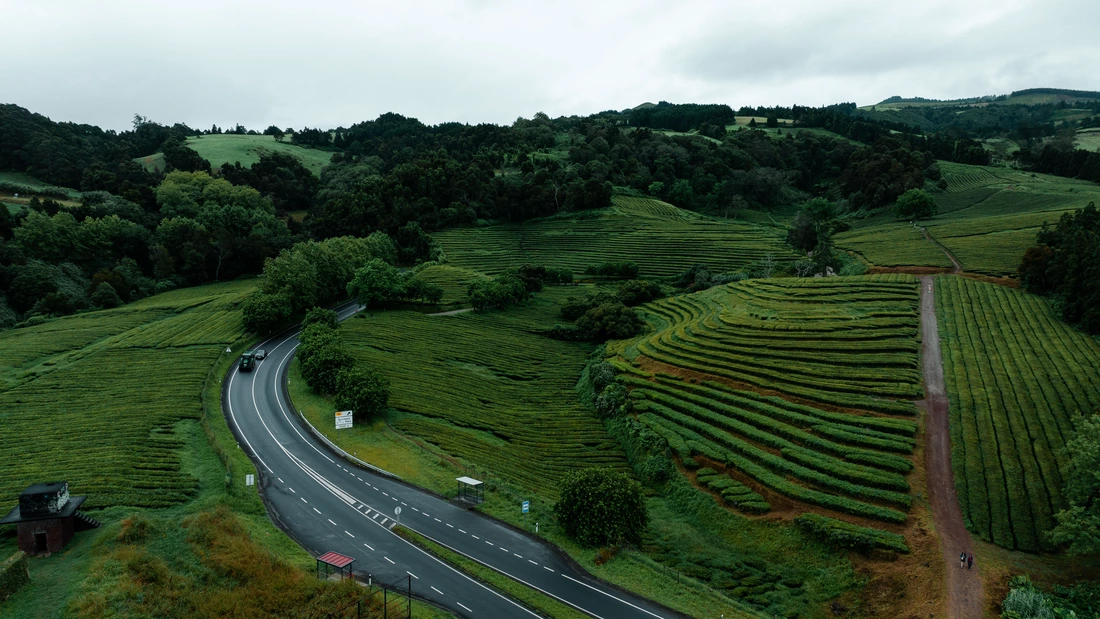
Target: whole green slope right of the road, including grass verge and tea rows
<point>486,393</point>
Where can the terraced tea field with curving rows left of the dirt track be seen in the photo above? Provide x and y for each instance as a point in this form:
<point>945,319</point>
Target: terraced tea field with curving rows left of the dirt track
<point>776,381</point>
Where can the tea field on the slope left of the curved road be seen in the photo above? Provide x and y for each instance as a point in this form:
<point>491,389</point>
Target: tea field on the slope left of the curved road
<point>93,399</point>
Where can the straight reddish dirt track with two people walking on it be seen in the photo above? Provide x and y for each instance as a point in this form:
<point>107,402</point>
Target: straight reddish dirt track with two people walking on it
<point>965,599</point>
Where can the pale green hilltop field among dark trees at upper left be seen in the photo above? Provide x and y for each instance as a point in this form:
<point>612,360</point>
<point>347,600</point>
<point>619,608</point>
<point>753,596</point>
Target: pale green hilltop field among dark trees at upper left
<point>223,149</point>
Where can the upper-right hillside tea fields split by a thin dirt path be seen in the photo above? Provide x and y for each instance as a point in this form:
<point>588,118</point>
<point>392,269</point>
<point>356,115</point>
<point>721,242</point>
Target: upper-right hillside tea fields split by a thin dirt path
<point>988,218</point>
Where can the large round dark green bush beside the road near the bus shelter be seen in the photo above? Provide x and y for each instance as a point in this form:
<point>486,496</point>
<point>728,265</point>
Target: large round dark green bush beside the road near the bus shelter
<point>600,507</point>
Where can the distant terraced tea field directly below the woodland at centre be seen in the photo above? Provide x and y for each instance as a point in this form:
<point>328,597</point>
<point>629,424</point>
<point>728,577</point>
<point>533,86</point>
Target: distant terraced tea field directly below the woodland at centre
<point>663,239</point>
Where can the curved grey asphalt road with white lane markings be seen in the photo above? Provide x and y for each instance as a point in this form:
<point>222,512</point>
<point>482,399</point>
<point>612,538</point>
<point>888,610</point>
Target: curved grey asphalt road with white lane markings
<point>327,504</point>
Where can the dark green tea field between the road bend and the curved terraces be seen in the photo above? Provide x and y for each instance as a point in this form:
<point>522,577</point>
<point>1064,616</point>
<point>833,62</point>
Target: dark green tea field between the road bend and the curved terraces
<point>489,389</point>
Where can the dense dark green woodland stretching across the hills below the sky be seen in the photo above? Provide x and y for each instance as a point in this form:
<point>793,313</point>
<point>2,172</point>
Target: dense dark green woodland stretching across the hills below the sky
<point>139,233</point>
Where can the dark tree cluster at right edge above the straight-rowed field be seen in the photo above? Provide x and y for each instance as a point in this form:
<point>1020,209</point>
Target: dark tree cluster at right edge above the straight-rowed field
<point>1065,264</point>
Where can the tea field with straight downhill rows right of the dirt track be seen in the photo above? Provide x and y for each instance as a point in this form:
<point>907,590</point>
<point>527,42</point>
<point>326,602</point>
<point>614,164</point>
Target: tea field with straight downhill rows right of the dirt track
<point>1015,374</point>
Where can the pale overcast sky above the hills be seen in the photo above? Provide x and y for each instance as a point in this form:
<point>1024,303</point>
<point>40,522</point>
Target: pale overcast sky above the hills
<point>335,63</point>
